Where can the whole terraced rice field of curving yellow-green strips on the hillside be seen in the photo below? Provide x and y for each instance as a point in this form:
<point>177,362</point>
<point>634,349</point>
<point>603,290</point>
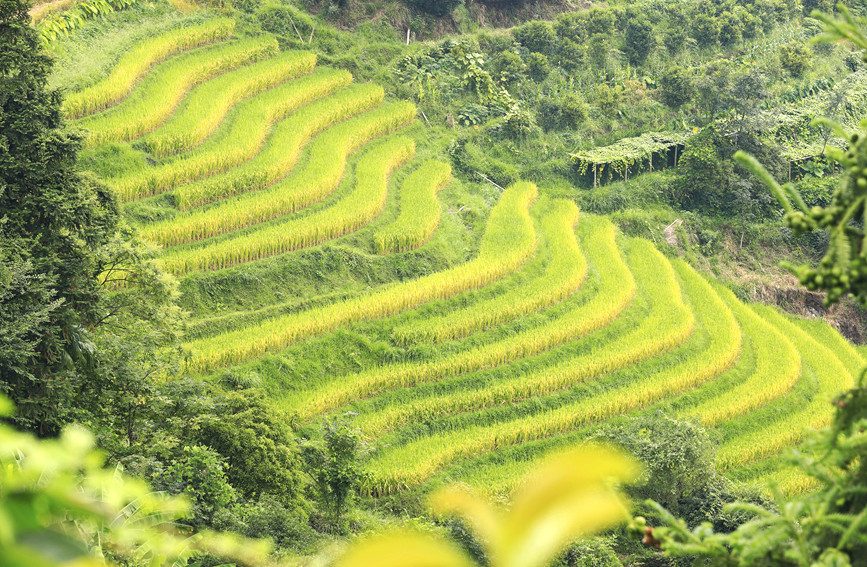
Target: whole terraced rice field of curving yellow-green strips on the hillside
<point>244,165</point>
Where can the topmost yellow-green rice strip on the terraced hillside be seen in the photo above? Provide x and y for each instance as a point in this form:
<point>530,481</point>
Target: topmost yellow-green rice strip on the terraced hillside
<point>133,66</point>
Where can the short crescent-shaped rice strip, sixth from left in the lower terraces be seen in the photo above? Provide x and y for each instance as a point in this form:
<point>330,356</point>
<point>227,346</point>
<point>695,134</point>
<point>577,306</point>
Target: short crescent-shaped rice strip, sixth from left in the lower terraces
<point>778,365</point>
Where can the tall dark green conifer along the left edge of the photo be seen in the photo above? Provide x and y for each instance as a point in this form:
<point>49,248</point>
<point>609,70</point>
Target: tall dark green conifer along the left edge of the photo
<point>56,217</point>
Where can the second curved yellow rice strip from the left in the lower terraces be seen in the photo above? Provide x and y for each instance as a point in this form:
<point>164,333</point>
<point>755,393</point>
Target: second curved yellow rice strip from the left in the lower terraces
<point>564,270</point>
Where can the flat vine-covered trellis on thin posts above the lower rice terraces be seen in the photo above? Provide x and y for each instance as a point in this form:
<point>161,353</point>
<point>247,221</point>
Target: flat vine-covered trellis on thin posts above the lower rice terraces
<point>629,153</point>
